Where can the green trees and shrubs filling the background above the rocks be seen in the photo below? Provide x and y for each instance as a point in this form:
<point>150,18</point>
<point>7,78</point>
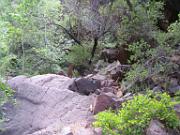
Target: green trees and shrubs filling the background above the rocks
<point>33,39</point>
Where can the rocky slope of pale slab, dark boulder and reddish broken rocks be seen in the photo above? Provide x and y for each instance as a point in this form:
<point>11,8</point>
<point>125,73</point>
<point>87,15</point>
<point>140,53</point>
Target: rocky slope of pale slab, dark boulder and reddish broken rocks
<point>57,105</point>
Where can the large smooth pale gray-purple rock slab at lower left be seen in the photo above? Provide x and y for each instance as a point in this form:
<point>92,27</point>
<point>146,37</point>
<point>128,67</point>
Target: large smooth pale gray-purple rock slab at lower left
<point>42,101</point>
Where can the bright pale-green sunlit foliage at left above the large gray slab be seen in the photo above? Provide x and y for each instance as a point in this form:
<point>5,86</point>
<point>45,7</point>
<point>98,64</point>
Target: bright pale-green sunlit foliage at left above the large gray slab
<point>28,37</point>
